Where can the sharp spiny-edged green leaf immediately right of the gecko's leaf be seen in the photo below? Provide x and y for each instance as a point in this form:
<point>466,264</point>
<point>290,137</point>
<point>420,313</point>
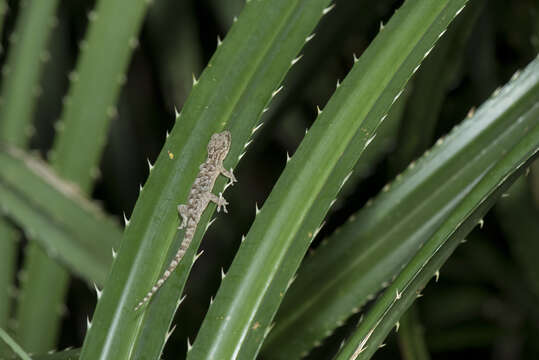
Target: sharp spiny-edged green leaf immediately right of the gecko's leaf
<point>240,316</point>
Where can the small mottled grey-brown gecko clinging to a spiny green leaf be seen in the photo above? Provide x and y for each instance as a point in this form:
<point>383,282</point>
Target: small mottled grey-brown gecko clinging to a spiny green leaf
<point>199,197</point>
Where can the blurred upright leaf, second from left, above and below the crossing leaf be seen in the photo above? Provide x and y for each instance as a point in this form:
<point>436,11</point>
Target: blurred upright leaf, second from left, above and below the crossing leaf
<point>81,133</point>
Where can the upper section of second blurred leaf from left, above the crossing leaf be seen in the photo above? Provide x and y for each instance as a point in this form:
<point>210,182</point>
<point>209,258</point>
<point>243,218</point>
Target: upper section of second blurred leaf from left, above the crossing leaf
<point>95,84</point>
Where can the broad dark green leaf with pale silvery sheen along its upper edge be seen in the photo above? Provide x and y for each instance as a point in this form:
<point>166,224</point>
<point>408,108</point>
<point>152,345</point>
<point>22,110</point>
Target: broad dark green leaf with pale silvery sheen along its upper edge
<point>361,257</point>
